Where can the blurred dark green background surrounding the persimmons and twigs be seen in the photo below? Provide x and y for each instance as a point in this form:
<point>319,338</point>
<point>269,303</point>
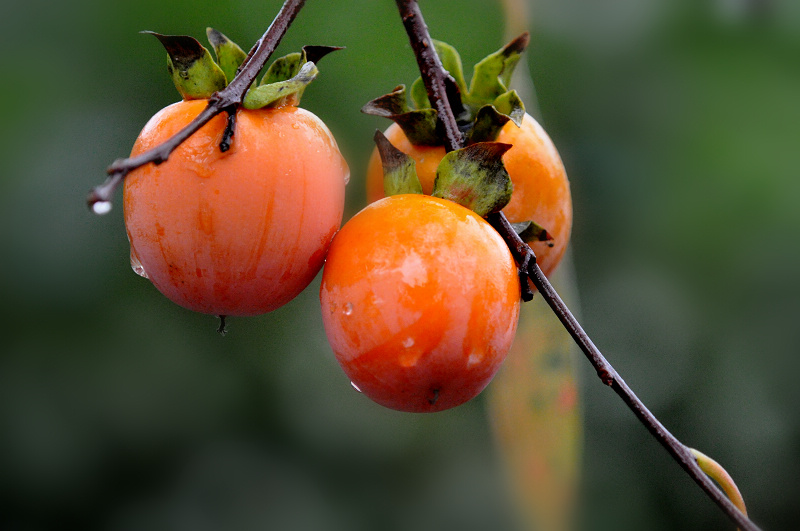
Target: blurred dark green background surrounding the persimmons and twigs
<point>679,124</point>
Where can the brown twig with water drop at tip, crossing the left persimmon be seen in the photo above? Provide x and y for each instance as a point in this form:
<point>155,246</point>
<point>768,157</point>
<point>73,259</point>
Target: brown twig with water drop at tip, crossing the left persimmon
<point>229,97</point>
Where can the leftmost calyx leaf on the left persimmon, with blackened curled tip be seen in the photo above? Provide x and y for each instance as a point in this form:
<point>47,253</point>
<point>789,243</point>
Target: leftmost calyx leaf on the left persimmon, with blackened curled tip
<point>191,66</point>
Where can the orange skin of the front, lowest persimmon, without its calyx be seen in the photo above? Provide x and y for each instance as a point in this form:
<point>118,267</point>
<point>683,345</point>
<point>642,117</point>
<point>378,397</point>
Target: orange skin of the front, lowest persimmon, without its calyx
<point>420,300</point>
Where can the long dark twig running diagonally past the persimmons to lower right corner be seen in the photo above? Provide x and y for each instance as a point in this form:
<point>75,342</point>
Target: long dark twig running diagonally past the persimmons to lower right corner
<point>433,76</point>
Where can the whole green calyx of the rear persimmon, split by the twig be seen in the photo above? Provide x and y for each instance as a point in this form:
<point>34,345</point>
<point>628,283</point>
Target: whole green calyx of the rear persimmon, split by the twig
<point>481,110</point>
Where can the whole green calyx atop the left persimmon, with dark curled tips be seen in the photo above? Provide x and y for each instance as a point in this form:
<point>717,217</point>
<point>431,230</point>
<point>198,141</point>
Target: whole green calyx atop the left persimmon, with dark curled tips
<point>197,76</point>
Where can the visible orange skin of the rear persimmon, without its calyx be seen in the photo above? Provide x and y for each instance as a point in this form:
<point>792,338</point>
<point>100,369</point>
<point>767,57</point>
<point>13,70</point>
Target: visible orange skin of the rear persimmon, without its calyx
<point>541,188</point>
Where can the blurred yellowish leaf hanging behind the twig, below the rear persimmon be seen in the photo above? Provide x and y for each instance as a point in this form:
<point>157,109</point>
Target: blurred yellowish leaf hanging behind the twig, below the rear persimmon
<point>534,408</point>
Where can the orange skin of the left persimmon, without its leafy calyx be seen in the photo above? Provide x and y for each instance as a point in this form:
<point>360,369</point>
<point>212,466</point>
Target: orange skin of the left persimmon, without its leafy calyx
<point>241,232</point>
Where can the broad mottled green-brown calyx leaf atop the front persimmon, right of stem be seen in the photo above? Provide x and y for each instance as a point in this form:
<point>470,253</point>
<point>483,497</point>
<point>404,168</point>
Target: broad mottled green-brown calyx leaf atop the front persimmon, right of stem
<point>475,177</point>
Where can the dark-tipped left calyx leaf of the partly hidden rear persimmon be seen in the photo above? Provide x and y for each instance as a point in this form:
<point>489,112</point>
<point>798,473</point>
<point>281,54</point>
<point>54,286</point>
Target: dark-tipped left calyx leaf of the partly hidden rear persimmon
<point>420,126</point>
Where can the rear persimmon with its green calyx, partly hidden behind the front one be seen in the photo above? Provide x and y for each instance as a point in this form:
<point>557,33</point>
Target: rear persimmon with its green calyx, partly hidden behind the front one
<point>485,110</point>
